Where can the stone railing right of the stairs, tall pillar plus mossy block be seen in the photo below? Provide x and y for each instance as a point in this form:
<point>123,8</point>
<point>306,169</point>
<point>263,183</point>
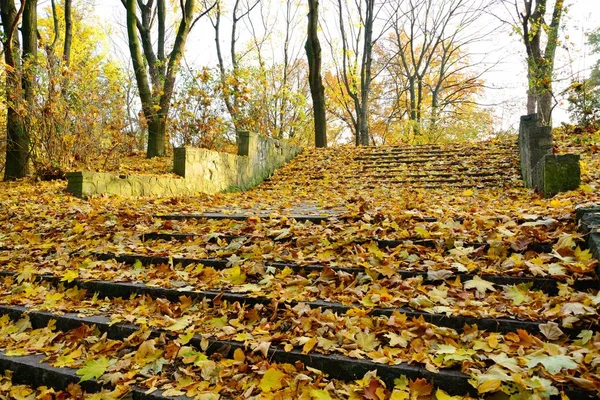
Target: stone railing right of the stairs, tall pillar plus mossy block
<point>541,170</point>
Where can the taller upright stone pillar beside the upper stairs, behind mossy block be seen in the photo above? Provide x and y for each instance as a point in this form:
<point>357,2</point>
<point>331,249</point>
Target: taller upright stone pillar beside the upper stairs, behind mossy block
<point>535,142</point>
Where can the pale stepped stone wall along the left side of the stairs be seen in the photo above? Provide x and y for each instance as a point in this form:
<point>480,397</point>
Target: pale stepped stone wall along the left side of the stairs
<point>200,171</point>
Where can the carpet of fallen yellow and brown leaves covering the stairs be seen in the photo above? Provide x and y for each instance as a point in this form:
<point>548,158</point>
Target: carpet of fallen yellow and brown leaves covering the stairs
<point>352,273</point>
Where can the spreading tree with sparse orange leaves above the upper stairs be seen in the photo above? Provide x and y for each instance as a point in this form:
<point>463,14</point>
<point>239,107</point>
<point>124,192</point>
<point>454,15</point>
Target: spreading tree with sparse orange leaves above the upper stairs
<point>430,42</point>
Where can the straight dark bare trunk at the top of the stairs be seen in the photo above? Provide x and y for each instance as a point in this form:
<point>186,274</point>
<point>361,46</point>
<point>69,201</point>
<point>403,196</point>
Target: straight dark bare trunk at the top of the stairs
<point>317,90</point>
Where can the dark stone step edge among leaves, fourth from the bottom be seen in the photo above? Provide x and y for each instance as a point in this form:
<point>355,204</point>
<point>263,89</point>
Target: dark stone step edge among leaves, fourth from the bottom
<point>548,285</point>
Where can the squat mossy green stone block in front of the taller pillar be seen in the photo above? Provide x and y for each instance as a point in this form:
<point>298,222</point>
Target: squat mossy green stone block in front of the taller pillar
<point>557,173</point>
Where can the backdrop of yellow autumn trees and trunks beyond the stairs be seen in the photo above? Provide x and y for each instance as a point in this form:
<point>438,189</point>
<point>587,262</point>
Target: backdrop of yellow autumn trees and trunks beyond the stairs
<point>369,73</point>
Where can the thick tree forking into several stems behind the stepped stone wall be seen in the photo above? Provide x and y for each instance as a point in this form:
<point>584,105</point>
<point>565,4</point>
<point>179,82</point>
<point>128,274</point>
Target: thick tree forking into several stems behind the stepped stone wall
<point>155,71</point>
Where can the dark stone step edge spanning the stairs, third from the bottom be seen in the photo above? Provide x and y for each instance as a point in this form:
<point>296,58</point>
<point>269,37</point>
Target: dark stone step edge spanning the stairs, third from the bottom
<point>457,322</point>
